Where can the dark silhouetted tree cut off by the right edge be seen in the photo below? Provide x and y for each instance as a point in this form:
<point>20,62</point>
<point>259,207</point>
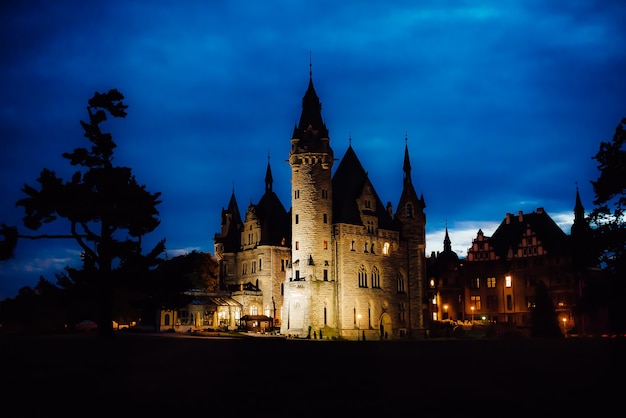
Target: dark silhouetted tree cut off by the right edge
<point>607,220</point>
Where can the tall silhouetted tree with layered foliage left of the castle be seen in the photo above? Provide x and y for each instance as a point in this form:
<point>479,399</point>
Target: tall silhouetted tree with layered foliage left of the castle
<point>107,210</point>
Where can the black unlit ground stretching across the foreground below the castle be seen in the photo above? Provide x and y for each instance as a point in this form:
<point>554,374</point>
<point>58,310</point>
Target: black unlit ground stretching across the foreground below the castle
<point>167,375</point>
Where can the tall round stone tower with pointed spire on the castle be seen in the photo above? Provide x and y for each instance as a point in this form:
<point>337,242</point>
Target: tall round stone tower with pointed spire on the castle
<point>307,299</point>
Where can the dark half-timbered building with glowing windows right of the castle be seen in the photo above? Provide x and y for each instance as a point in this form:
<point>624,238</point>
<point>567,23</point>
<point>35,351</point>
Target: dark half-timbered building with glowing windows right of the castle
<point>497,280</point>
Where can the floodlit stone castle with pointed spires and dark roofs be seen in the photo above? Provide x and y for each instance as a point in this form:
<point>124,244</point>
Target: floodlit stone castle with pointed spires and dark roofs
<point>339,263</point>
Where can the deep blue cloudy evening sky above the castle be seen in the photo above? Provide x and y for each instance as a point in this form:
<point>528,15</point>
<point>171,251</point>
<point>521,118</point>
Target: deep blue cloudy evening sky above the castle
<point>503,103</point>
